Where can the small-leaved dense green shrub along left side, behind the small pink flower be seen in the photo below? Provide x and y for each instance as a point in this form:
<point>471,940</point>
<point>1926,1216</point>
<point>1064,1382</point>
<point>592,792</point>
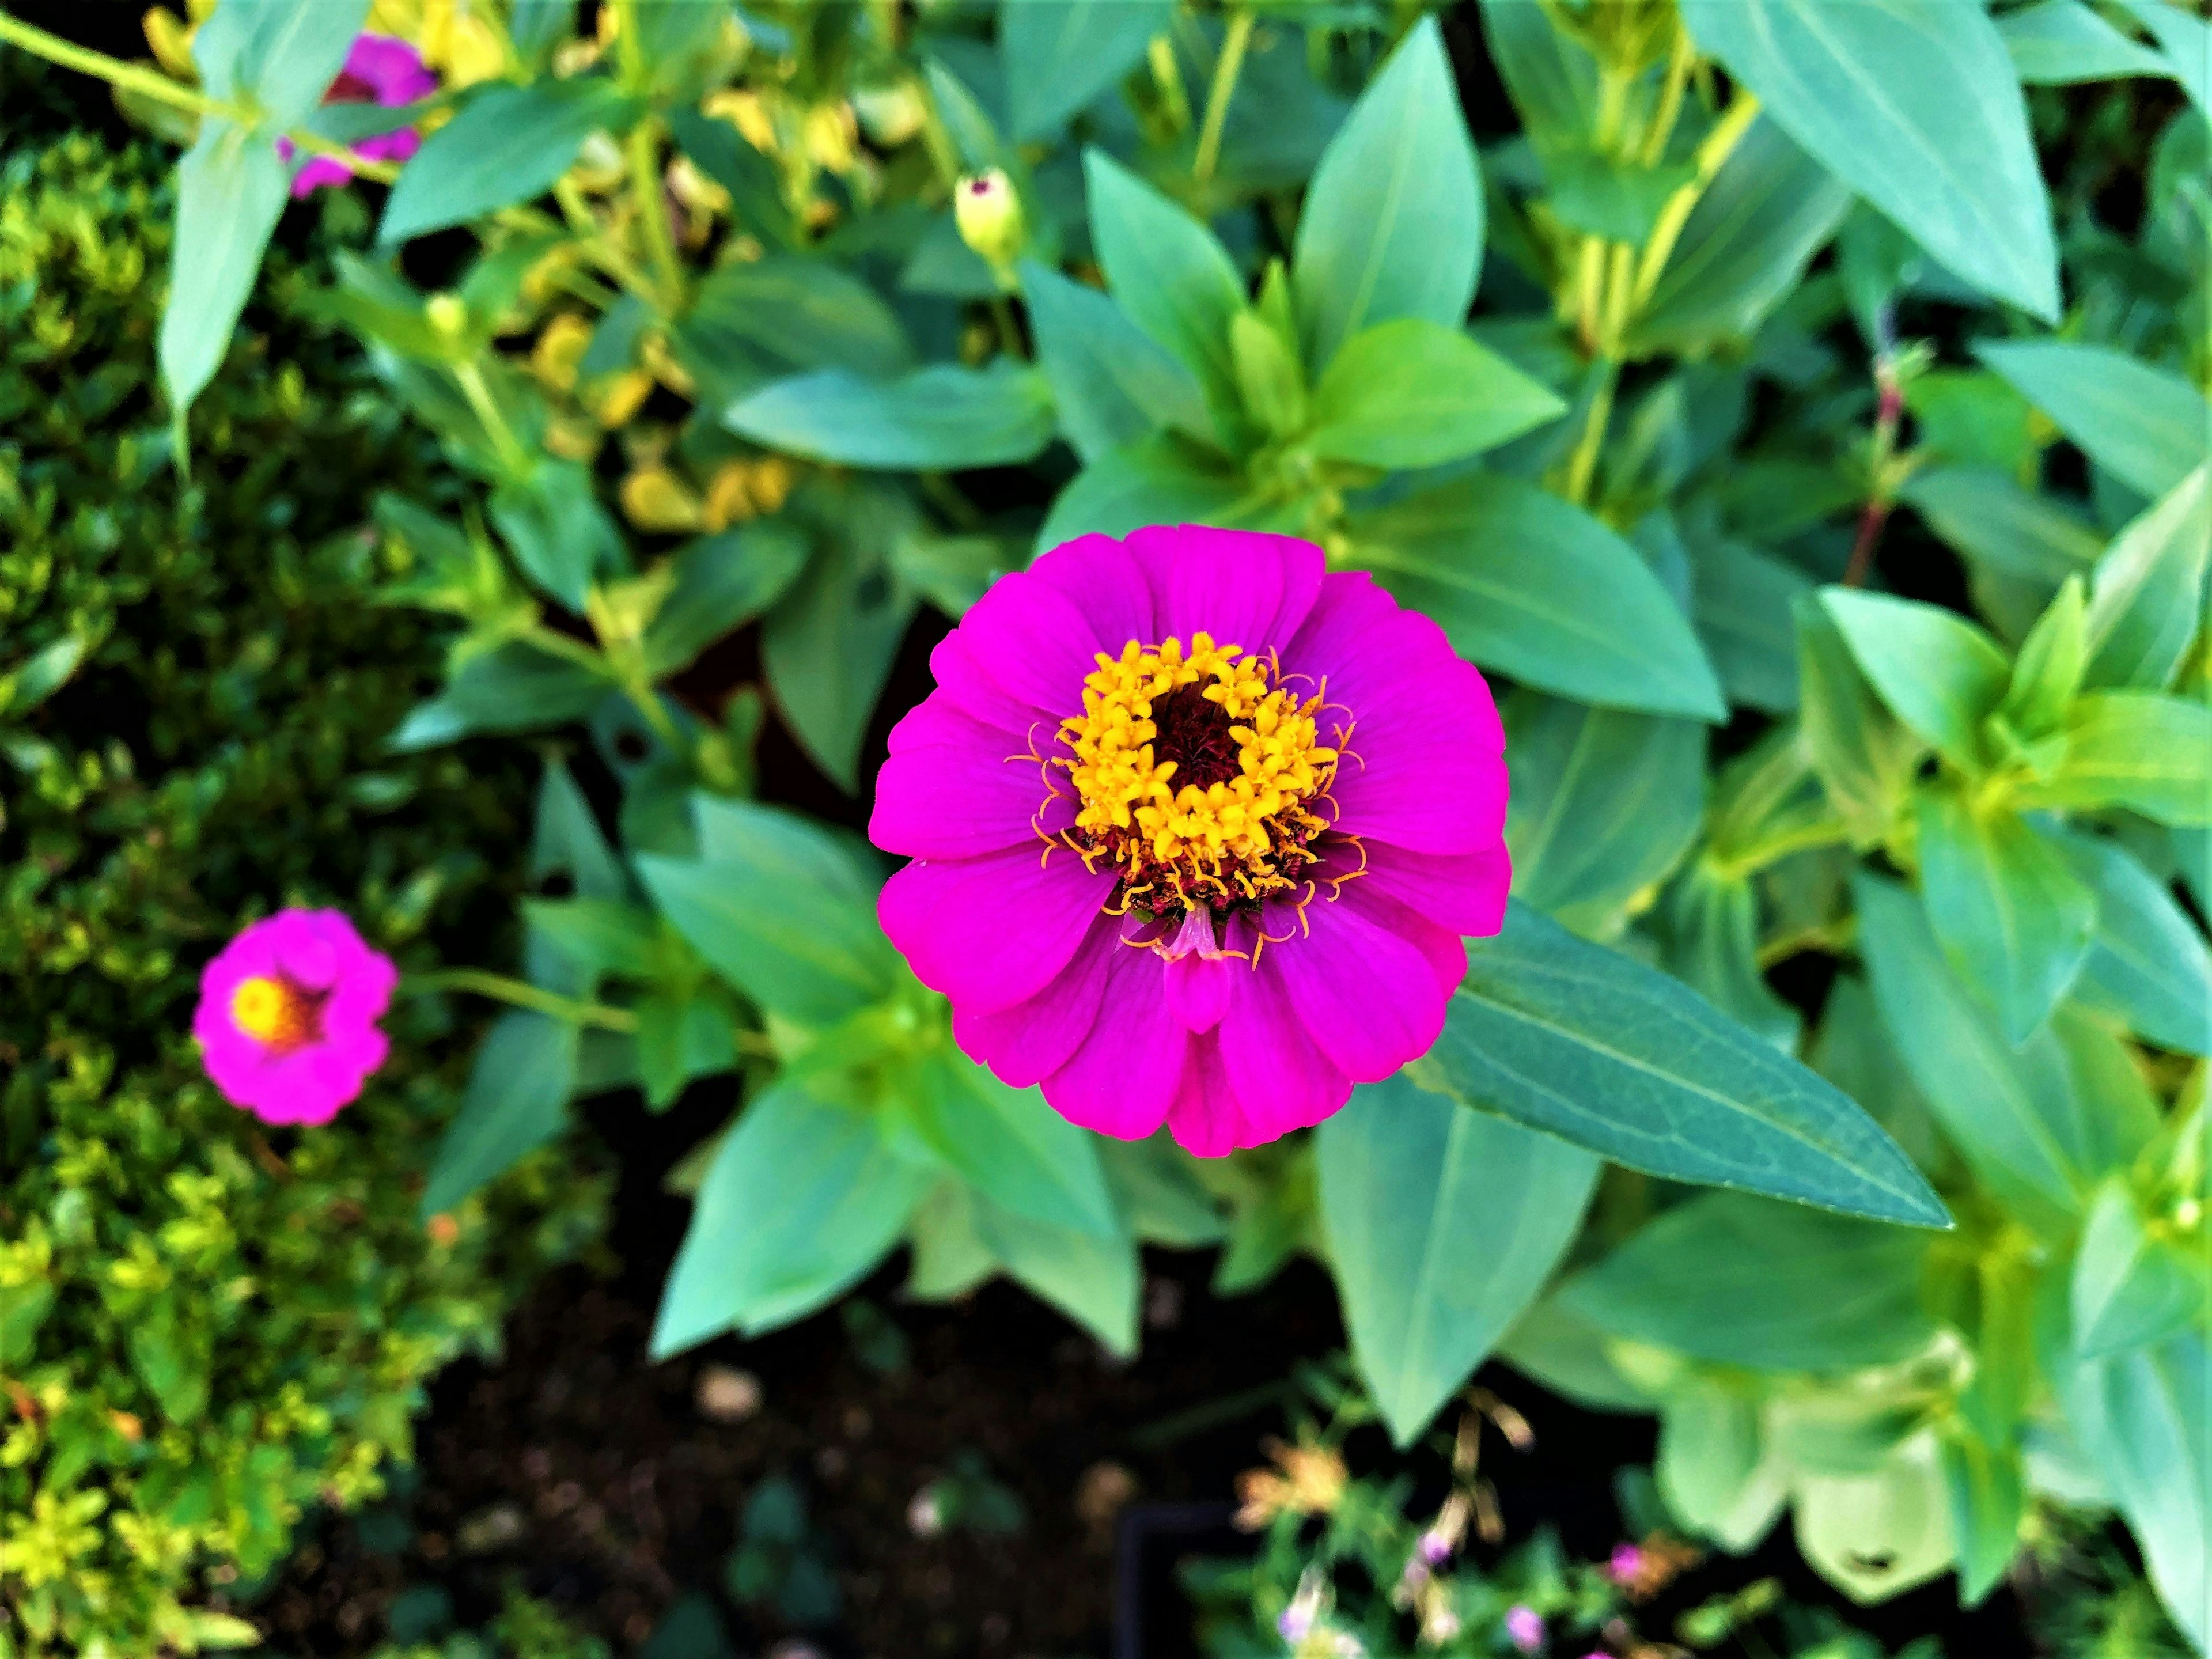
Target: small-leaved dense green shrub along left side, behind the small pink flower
<point>207,1326</point>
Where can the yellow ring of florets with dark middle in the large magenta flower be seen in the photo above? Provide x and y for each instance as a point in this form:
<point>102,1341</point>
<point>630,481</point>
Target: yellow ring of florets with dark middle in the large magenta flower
<point>1196,775</point>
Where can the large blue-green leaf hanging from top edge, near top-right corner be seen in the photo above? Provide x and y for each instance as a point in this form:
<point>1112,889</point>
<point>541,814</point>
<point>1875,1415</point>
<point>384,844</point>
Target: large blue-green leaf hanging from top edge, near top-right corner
<point>1919,112</point>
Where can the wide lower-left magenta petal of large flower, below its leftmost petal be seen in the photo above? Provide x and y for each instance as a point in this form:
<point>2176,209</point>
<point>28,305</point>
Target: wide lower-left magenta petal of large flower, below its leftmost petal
<point>994,930</point>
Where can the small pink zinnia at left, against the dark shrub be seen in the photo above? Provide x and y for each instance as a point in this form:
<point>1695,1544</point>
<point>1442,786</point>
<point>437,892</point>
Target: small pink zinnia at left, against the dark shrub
<point>289,1014</point>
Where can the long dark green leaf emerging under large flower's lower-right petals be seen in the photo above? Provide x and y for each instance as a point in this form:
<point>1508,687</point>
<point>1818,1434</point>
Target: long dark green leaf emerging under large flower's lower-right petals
<point>1603,1052</point>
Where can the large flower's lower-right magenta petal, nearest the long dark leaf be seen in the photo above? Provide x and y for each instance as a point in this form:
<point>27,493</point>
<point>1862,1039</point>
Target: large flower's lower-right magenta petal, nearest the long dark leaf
<point>1366,992</point>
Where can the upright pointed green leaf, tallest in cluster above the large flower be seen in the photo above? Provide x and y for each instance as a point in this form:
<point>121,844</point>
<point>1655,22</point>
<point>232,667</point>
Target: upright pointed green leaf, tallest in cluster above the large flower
<point>1392,222</point>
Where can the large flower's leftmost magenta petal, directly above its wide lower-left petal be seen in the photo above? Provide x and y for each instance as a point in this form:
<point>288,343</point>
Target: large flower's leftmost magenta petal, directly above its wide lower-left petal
<point>966,795</point>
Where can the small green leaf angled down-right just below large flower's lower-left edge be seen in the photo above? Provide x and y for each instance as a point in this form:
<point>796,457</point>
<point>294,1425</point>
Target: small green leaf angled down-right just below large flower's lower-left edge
<point>1010,1145</point>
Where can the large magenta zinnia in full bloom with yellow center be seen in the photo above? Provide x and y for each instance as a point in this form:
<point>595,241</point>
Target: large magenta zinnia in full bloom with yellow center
<point>1269,800</point>
